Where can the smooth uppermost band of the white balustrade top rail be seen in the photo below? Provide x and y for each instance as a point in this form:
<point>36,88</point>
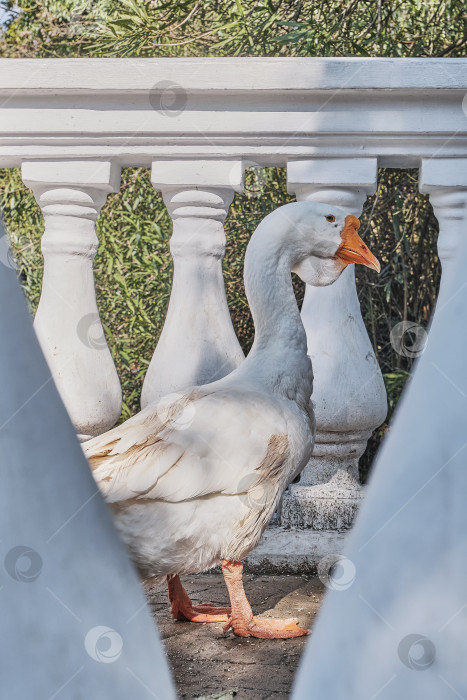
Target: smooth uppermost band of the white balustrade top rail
<point>245,74</point>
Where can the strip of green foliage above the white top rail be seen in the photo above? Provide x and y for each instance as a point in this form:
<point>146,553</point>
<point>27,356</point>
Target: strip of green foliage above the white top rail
<point>237,28</point>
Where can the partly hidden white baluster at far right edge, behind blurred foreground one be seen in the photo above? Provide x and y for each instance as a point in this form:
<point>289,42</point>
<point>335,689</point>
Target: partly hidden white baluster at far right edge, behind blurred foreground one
<point>445,180</point>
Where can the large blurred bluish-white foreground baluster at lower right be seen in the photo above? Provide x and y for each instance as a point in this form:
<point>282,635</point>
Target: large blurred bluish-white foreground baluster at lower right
<point>393,625</point>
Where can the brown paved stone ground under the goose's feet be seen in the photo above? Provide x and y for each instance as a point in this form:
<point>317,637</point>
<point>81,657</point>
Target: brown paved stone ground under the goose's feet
<point>207,663</point>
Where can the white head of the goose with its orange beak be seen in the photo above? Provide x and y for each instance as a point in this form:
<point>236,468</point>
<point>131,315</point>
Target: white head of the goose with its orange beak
<point>323,240</point>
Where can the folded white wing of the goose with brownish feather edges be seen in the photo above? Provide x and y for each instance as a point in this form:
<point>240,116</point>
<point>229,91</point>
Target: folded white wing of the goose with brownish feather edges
<point>224,442</point>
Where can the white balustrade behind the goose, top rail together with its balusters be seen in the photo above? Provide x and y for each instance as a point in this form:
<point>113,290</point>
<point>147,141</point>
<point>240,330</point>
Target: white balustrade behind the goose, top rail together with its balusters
<point>73,124</point>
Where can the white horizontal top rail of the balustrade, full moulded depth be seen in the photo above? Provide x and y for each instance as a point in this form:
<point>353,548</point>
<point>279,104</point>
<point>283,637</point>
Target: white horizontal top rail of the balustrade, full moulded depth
<point>267,109</point>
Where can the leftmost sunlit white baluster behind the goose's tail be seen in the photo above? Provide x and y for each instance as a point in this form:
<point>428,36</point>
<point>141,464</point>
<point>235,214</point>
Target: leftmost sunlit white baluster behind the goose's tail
<point>67,321</point>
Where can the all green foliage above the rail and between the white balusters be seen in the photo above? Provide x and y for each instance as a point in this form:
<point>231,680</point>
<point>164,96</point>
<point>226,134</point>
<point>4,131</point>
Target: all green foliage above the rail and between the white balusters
<point>133,266</point>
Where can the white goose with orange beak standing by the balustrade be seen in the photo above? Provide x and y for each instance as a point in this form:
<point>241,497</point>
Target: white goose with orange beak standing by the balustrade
<point>193,480</point>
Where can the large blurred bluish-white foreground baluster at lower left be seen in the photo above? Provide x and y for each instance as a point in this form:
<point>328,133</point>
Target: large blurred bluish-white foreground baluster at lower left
<point>74,619</point>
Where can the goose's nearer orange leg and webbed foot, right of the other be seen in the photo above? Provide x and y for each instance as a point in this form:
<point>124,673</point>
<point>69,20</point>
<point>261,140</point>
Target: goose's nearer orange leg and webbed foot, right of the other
<point>242,621</point>
